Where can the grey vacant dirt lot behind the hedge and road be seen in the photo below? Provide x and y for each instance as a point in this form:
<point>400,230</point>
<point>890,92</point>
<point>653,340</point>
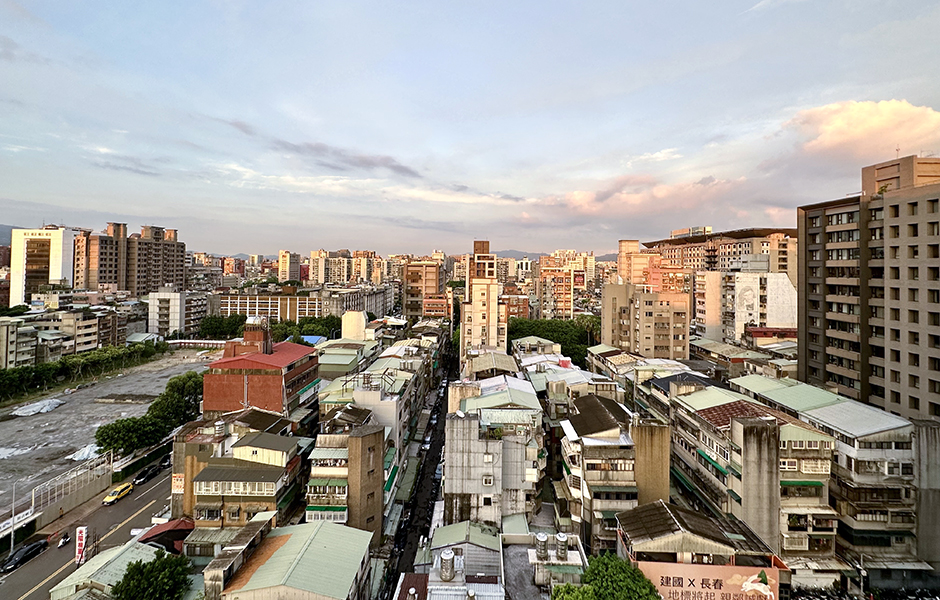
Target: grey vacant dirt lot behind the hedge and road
<point>34,448</point>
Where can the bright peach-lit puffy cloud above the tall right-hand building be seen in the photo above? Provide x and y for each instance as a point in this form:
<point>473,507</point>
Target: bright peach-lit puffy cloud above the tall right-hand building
<point>867,131</point>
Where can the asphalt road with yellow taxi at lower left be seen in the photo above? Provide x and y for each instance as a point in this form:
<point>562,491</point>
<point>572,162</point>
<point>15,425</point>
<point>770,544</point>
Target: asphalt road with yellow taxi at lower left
<point>111,524</point>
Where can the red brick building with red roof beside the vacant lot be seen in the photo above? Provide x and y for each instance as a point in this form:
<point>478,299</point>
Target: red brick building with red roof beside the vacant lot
<point>257,372</point>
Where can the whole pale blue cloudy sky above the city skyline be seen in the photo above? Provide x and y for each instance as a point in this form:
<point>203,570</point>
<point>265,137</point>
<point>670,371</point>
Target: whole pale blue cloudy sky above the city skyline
<point>406,127</point>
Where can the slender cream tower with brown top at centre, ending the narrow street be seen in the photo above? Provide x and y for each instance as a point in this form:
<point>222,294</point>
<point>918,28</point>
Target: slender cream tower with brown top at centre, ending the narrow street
<point>483,318</point>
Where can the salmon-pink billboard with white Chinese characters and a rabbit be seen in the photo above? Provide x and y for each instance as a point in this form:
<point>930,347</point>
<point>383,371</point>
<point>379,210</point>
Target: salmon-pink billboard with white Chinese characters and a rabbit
<point>678,581</point>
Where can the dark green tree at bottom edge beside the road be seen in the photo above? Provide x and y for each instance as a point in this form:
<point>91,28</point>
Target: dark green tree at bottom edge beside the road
<point>163,578</point>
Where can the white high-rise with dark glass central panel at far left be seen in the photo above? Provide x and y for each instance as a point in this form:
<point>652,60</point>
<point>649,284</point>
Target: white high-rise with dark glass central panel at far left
<point>40,257</point>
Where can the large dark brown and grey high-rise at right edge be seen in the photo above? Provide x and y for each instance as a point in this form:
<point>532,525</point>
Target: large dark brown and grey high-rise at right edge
<point>869,288</point>
